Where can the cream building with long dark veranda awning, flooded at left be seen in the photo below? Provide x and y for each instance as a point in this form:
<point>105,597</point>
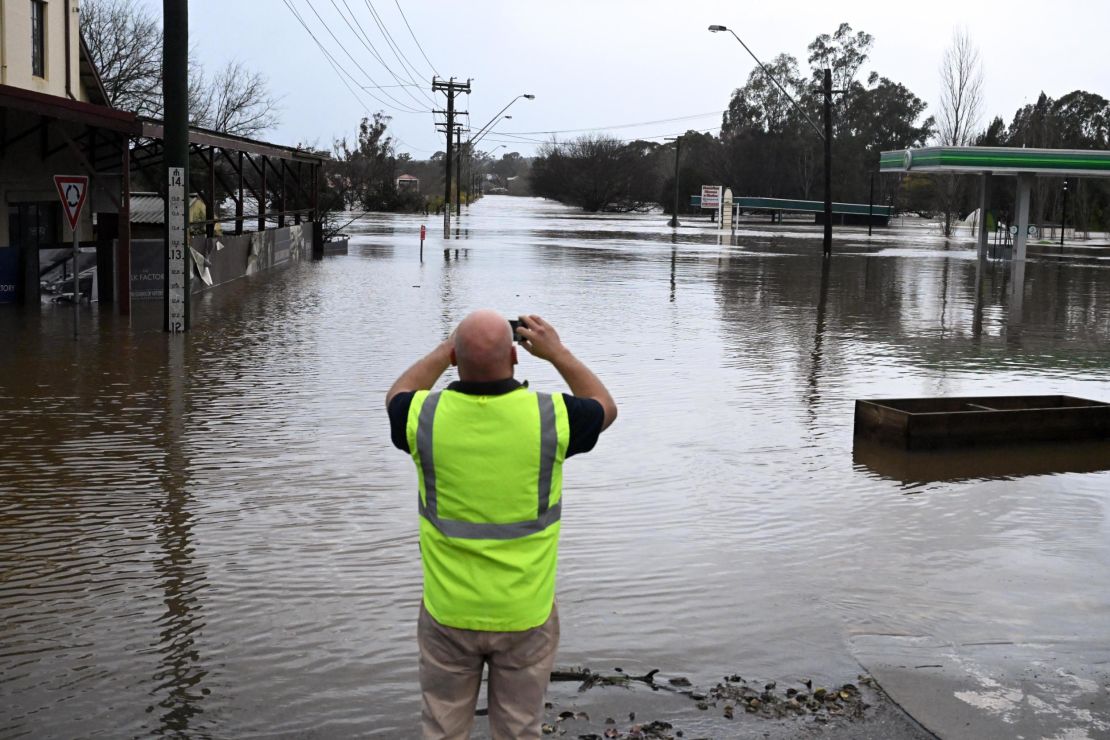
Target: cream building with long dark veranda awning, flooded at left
<point>56,119</point>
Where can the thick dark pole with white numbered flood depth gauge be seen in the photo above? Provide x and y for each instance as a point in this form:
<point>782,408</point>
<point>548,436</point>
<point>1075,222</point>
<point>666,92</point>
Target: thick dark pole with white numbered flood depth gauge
<point>176,147</point>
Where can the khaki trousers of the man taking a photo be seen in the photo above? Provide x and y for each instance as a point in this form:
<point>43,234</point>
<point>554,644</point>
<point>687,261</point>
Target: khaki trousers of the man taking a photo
<point>451,664</point>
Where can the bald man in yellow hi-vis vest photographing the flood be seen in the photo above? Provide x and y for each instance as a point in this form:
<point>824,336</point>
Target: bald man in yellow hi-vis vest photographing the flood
<point>489,454</point>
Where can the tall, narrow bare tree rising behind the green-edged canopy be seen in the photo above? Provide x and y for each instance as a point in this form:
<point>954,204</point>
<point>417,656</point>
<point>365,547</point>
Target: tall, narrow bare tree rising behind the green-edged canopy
<point>960,111</point>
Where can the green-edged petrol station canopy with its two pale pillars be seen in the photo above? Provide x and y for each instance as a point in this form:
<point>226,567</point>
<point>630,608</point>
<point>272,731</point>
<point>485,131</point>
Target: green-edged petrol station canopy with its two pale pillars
<point>1025,165</point>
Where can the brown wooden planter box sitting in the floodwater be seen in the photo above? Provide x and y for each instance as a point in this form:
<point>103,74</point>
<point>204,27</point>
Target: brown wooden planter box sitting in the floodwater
<point>965,422</point>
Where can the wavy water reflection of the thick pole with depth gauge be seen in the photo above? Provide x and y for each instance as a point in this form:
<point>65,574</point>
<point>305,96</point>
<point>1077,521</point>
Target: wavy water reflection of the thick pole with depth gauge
<point>180,671</point>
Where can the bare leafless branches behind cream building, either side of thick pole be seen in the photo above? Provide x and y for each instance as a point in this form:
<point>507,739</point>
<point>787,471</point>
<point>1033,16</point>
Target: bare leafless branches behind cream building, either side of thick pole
<point>125,42</point>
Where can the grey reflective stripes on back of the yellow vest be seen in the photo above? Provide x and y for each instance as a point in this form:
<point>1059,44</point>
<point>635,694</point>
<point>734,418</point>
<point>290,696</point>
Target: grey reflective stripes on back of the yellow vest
<point>548,514</point>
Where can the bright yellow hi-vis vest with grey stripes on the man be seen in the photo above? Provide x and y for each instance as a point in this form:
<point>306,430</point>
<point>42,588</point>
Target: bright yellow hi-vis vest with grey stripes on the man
<point>491,481</point>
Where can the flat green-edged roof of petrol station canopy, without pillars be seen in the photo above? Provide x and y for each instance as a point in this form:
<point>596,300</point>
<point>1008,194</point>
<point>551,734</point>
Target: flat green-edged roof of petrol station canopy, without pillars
<point>1000,161</point>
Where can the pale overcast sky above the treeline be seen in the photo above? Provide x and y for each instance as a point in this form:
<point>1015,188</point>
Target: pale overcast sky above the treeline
<point>608,64</point>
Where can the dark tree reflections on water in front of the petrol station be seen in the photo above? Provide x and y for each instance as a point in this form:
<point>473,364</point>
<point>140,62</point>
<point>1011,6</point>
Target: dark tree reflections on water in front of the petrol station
<point>939,311</point>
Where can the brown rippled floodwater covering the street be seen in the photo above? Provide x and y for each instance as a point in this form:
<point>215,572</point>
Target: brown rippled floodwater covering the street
<point>211,535</point>
